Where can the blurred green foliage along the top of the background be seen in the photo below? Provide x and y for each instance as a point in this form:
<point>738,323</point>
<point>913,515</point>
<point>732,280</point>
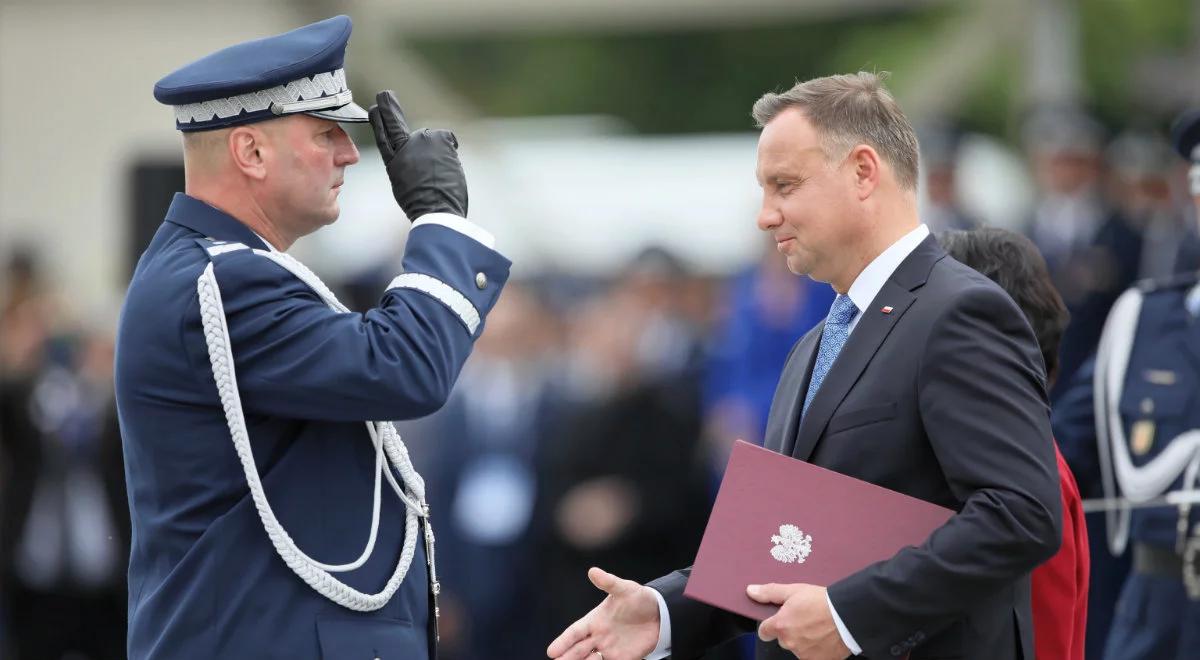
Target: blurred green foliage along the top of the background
<point>706,81</point>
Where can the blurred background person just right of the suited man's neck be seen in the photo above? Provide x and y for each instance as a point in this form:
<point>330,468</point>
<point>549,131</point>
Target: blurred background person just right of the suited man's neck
<point>940,161</point>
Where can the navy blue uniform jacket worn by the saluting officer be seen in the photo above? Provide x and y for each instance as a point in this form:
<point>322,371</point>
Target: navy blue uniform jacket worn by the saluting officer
<point>205,579</point>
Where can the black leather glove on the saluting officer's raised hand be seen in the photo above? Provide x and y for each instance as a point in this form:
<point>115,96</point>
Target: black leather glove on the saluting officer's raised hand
<point>424,169</point>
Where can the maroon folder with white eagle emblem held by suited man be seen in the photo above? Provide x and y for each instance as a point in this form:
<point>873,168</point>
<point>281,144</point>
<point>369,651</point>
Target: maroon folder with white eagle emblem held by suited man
<point>787,521</point>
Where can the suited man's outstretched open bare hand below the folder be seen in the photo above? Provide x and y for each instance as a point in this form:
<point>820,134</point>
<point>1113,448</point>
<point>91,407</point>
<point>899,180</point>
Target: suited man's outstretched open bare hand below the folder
<point>623,627</point>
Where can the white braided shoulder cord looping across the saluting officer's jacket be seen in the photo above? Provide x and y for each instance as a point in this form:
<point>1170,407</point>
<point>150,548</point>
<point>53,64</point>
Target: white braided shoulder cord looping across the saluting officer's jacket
<point>383,436</point>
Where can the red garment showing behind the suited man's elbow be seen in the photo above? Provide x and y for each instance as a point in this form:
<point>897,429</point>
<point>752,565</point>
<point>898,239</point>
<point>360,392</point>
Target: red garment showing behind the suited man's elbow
<point>1060,586</point>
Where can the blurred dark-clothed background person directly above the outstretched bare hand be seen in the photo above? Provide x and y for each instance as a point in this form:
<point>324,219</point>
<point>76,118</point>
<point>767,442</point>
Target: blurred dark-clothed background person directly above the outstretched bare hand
<point>627,479</point>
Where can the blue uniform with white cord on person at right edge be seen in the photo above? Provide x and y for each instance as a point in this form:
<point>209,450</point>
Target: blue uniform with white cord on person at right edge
<point>1159,400</point>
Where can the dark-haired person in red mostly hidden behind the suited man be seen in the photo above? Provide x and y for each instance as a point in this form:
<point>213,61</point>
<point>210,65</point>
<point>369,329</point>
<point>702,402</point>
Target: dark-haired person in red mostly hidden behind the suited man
<point>1060,586</point>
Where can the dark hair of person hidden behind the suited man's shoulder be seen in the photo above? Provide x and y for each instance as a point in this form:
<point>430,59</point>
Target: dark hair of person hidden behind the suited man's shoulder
<point>1013,262</point>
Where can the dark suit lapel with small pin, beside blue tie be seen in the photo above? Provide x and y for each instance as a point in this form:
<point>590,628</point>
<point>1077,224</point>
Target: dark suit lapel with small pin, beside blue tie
<point>865,343</point>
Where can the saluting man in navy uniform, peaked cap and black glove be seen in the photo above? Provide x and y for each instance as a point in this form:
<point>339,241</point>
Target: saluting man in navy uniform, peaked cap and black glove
<point>275,515</point>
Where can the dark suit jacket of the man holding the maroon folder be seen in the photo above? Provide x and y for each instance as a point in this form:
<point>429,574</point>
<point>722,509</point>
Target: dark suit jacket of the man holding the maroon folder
<point>943,399</point>
